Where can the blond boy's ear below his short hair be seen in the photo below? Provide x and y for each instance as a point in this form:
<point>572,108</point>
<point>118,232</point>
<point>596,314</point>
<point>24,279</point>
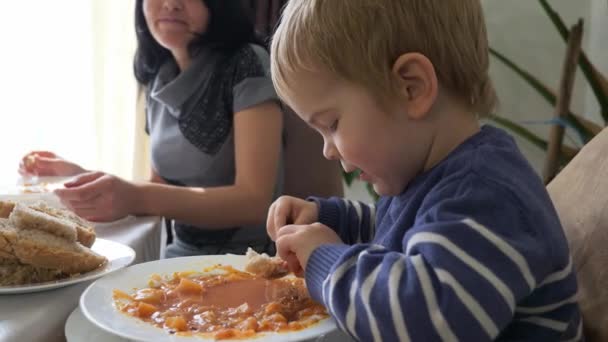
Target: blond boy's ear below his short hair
<point>417,82</point>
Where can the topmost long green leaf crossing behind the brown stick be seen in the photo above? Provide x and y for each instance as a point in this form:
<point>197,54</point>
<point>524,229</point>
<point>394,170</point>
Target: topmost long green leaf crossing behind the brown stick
<point>598,82</point>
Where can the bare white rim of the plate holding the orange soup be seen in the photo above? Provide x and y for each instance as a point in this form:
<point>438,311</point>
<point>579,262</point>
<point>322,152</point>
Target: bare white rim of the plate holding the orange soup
<point>96,302</point>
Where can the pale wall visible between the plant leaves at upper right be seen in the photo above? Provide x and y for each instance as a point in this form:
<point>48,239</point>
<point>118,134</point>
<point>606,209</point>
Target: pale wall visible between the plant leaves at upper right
<point>522,31</point>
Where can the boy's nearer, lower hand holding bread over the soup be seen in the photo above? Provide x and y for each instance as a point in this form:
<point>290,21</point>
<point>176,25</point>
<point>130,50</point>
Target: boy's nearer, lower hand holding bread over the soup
<point>295,243</point>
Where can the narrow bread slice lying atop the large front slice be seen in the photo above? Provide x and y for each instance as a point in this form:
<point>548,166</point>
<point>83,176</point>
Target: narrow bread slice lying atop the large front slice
<point>27,218</point>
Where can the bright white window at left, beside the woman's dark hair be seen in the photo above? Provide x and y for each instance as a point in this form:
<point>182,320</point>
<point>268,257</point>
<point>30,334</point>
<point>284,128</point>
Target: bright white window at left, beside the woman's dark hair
<point>68,85</point>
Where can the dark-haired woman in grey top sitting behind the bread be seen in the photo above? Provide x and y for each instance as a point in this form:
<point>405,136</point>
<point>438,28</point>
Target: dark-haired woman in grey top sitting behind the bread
<point>215,130</point>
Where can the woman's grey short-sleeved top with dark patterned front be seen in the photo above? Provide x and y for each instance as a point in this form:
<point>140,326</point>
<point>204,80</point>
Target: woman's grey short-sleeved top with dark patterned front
<point>189,120</point>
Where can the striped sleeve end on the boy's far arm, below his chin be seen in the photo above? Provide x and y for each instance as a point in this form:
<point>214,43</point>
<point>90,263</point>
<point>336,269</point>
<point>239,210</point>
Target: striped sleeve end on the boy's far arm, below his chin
<point>354,221</point>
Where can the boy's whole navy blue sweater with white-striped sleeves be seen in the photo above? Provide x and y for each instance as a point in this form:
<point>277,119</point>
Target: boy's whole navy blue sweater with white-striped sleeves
<point>472,250</point>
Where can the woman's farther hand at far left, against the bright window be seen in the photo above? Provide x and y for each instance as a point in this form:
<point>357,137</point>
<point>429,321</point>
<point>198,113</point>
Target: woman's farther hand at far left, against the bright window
<point>45,163</point>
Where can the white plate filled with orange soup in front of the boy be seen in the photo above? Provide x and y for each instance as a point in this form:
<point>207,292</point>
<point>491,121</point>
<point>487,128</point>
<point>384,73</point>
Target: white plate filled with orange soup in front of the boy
<point>206,298</point>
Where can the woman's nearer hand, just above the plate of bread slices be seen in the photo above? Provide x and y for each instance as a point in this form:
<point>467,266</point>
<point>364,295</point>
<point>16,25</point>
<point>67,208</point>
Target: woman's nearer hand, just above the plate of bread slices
<point>97,196</point>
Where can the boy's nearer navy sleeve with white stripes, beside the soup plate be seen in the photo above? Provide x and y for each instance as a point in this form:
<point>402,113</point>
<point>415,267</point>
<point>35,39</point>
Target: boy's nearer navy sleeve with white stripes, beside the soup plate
<point>454,281</point>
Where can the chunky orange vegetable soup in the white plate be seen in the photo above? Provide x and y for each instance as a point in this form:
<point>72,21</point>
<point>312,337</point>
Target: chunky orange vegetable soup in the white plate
<point>222,302</point>
